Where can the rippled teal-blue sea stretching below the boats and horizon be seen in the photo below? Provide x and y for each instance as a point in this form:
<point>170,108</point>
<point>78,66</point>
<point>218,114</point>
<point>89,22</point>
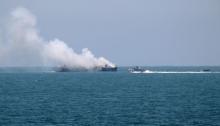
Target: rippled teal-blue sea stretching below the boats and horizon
<point>165,96</point>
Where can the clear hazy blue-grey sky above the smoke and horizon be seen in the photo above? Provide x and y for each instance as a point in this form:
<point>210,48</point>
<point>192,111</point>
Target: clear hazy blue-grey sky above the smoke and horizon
<point>130,32</point>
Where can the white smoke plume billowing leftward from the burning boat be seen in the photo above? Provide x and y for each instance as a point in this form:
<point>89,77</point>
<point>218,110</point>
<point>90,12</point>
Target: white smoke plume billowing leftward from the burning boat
<point>25,47</point>
